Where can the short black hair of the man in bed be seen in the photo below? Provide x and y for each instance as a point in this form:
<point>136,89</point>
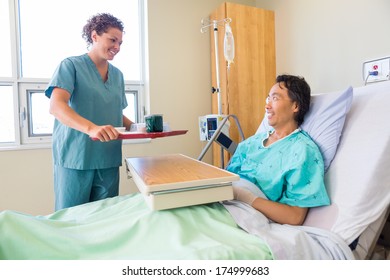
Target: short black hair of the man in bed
<point>299,92</point>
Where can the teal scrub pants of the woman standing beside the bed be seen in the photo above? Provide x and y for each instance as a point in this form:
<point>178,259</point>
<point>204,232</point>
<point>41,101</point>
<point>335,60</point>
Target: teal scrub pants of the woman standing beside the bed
<point>74,187</point>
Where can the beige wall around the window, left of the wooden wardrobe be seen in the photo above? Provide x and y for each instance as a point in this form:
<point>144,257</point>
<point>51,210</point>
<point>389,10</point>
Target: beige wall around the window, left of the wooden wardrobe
<point>180,88</point>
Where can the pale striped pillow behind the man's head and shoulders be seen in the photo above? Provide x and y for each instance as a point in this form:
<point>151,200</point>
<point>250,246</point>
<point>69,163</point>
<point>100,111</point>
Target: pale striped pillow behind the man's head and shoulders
<point>325,121</point>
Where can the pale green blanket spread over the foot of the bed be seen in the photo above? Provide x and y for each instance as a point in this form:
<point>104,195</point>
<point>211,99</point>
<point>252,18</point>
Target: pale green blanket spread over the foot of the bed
<point>125,228</point>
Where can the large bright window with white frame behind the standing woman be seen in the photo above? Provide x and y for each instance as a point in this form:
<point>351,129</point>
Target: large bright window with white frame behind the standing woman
<point>39,38</point>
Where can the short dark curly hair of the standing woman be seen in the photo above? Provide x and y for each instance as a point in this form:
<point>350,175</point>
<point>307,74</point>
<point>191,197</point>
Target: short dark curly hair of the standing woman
<point>100,23</point>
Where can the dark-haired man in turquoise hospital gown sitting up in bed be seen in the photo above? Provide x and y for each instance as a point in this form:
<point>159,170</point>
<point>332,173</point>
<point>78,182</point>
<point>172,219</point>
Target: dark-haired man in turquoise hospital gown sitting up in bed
<point>284,162</point>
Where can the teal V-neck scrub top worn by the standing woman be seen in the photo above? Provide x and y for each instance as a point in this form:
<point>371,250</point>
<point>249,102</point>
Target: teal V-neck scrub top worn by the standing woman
<point>92,98</point>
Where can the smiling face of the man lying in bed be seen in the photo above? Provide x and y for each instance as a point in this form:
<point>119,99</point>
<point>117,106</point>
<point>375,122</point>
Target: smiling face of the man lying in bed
<point>280,108</point>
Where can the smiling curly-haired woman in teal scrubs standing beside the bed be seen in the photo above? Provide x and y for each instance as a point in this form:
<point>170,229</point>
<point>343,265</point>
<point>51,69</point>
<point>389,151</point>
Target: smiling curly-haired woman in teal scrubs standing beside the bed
<point>87,98</point>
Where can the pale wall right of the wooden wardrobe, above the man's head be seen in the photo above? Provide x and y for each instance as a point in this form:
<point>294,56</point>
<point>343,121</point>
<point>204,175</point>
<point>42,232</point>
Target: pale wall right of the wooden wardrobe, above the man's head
<point>327,41</point>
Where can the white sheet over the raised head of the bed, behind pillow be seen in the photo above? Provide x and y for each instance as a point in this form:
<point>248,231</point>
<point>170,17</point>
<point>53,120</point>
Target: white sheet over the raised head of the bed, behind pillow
<point>358,181</point>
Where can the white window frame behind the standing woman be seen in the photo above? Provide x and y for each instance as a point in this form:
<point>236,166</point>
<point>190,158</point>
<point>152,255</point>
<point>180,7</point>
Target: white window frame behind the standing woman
<point>21,86</point>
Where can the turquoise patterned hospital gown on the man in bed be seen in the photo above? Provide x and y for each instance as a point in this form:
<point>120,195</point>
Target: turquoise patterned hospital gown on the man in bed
<point>289,171</point>
